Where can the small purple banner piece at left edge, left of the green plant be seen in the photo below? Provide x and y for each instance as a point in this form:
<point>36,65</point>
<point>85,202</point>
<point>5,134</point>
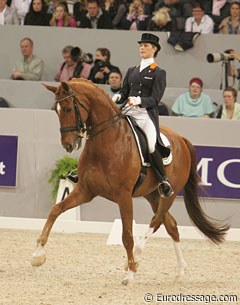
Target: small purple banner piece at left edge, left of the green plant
<point>8,160</point>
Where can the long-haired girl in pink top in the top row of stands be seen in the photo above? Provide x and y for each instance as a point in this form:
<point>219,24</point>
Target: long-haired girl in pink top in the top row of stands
<point>62,18</point>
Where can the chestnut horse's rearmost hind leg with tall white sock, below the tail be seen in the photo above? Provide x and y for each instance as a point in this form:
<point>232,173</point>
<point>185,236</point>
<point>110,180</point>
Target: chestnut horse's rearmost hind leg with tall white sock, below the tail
<point>171,227</point>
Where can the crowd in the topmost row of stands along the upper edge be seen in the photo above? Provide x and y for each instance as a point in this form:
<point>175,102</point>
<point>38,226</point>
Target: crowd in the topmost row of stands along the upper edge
<point>216,16</point>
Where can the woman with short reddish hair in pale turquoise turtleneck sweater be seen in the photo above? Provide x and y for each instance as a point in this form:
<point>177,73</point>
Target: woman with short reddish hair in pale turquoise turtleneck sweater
<point>194,103</point>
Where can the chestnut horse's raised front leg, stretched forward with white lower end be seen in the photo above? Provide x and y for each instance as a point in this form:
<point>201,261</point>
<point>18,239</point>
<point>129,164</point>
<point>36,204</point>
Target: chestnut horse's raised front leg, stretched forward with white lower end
<point>75,198</point>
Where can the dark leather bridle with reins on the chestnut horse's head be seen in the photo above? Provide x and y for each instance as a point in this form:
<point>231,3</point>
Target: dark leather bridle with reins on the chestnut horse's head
<point>80,126</point>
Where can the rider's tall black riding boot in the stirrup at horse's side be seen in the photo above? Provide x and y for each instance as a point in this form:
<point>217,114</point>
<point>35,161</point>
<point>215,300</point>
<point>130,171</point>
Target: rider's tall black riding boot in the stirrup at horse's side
<point>165,187</point>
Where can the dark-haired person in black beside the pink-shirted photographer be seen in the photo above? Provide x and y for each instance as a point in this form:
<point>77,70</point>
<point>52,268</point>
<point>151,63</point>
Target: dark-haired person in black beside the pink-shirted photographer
<point>102,67</point>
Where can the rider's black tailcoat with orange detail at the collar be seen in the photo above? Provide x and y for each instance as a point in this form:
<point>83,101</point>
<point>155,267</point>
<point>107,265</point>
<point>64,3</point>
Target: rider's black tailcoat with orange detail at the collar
<point>150,85</point>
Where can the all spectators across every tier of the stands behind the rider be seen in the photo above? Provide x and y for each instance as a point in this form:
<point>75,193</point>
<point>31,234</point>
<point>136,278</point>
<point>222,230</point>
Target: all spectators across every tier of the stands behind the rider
<point>221,16</point>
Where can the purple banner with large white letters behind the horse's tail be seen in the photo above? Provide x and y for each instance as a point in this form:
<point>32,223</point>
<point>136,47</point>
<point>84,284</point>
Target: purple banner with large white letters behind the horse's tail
<point>219,168</point>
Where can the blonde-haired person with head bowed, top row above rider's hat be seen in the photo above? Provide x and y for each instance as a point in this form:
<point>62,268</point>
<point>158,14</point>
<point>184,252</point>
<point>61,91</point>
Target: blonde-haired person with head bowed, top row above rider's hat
<point>161,21</point>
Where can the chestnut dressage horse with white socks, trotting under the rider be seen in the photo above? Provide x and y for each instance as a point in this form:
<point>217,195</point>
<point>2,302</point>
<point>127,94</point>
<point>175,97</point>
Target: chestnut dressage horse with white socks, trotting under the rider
<point>110,164</point>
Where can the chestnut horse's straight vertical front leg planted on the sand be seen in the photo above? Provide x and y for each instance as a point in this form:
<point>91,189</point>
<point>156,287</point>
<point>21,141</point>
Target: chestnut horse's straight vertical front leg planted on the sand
<point>126,211</point>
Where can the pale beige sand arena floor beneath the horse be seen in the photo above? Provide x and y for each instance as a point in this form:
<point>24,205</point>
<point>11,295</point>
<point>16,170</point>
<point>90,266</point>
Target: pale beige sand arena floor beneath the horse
<point>82,270</point>
